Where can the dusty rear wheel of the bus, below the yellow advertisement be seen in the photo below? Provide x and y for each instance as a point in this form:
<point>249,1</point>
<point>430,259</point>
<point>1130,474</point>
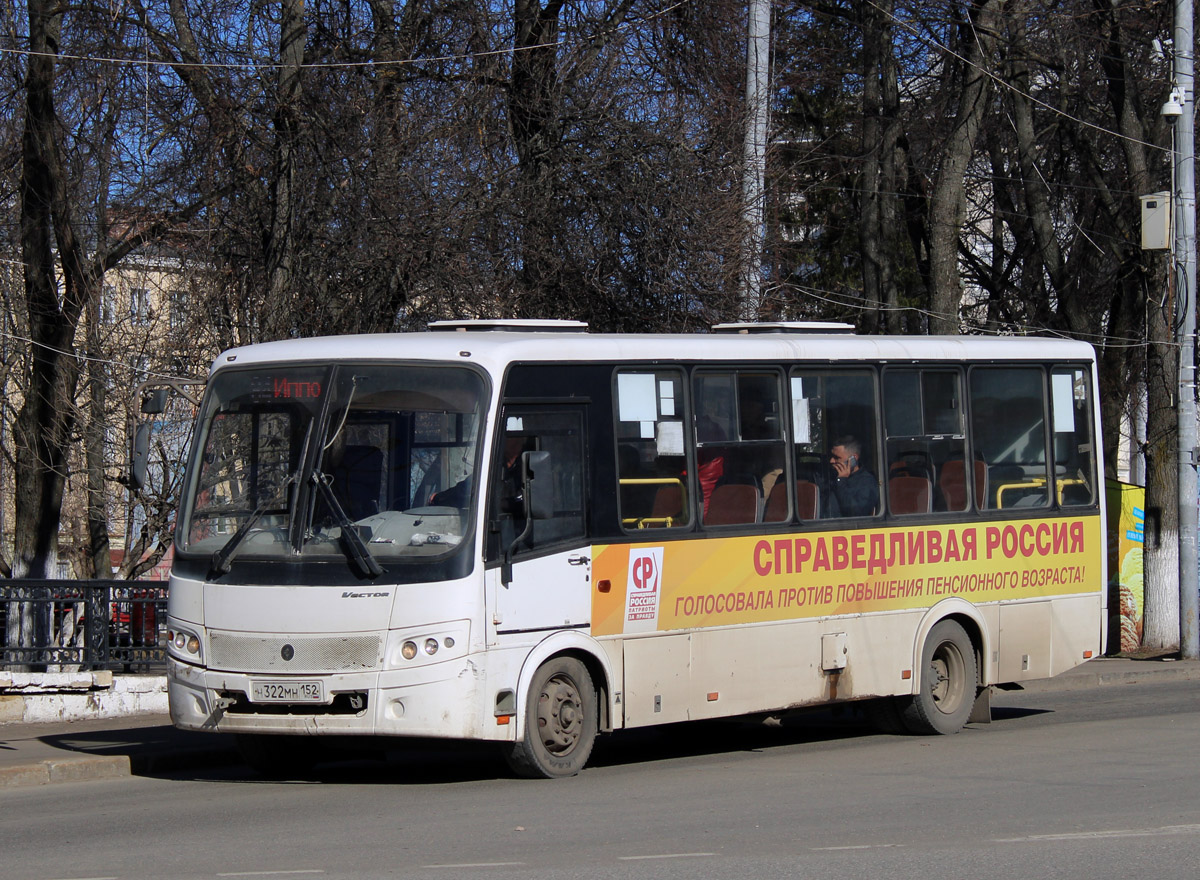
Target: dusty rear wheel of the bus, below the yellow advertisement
<point>949,681</point>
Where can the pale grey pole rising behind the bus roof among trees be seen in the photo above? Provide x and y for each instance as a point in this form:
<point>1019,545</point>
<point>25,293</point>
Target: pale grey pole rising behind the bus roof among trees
<point>755,158</point>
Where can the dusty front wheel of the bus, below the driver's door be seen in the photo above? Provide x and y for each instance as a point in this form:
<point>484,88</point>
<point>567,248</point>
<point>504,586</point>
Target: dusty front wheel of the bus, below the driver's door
<point>561,722</point>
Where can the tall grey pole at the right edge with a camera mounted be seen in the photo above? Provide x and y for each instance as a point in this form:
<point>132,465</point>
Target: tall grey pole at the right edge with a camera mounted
<point>1184,154</point>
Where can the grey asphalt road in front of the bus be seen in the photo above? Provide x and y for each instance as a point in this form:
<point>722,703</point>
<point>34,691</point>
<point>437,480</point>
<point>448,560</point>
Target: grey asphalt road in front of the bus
<point>1100,783</point>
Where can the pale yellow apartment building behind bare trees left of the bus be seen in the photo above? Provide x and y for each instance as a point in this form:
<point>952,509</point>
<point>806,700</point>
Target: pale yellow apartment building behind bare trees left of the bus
<point>151,322</point>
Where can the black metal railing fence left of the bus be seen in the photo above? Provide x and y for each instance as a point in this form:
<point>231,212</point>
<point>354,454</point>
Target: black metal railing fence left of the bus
<point>59,626</point>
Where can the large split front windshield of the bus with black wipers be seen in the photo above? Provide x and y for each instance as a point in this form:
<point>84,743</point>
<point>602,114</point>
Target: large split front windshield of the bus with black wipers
<point>364,463</point>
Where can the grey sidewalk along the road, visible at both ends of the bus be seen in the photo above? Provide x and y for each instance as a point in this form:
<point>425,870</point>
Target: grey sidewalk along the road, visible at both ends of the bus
<point>57,752</point>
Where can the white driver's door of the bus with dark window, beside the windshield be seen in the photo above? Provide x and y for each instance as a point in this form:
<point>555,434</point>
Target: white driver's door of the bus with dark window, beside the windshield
<point>551,567</point>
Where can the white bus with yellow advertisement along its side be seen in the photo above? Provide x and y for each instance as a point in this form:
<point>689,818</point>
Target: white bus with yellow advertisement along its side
<point>529,534</point>
